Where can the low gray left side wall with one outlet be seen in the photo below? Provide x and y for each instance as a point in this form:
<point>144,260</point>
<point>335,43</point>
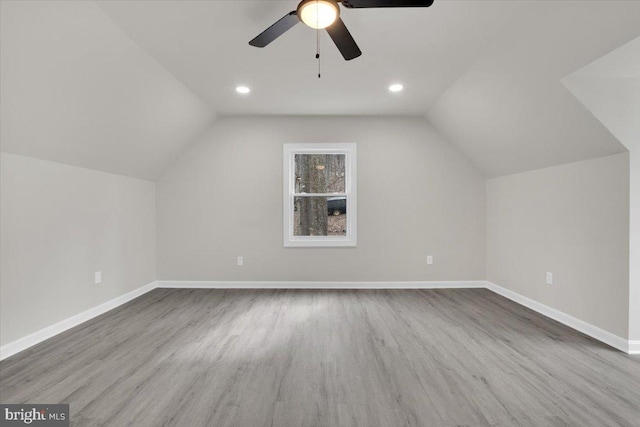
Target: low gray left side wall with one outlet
<point>59,224</point>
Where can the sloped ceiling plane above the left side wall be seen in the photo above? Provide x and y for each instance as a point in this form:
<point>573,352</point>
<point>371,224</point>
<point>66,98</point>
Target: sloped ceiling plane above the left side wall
<point>75,89</point>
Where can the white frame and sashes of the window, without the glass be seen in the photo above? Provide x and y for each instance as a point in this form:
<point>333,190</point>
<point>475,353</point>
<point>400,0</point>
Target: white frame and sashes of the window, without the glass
<point>289,152</point>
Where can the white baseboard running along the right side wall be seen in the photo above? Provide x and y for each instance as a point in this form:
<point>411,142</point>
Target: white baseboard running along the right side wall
<point>577,324</point>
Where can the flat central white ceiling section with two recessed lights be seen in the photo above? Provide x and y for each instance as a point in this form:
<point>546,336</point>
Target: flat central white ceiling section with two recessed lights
<point>205,44</point>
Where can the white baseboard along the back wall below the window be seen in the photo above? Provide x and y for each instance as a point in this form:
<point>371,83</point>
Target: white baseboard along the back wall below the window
<point>319,285</point>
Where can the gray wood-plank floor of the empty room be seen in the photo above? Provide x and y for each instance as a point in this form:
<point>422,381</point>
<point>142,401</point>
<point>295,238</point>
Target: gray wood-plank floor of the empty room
<point>326,358</point>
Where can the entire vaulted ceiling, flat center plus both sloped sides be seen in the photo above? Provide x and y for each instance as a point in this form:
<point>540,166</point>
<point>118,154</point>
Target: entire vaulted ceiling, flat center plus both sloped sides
<point>125,86</point>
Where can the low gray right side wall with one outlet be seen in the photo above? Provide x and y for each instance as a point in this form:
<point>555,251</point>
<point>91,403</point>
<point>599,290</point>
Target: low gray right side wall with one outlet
<point>571,220</point>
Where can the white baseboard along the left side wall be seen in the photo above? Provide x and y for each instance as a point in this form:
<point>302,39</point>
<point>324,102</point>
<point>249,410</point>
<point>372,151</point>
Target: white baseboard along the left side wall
<point>30,340</point>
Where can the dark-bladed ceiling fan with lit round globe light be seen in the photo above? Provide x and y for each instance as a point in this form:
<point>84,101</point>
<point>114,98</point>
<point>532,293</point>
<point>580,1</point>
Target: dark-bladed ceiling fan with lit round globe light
<point>325,14</point>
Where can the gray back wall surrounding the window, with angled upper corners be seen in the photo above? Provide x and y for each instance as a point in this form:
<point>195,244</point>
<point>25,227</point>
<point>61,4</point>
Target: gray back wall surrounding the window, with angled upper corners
<point>417,196</point>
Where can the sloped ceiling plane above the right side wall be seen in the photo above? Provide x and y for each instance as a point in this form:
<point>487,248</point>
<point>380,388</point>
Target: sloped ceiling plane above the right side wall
<point>510,111</point>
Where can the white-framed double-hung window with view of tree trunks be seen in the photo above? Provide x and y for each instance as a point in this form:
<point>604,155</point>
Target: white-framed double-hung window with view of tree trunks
<point>320,195</point>
